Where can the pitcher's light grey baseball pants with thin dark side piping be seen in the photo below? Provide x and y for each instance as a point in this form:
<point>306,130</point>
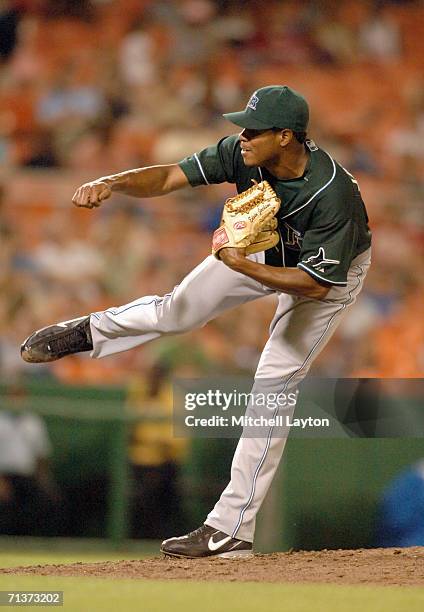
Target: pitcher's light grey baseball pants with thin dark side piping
<point>299,331</point>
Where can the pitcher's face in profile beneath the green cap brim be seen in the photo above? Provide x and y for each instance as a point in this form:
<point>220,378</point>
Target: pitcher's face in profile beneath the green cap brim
<point>260,147</point>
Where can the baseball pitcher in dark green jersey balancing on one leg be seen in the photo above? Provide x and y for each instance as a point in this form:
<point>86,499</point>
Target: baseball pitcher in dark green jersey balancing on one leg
<point>298,229</point>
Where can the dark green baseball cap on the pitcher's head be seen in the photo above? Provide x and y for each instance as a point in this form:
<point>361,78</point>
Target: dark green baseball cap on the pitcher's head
<point>275,106</point>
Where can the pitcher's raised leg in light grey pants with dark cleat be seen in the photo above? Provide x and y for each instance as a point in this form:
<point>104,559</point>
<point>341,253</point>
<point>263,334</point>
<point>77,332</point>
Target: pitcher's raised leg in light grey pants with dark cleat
<point>207,291</point>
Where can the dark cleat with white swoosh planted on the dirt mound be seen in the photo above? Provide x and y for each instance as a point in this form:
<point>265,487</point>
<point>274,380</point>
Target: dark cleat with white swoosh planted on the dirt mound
<point>206,542</point>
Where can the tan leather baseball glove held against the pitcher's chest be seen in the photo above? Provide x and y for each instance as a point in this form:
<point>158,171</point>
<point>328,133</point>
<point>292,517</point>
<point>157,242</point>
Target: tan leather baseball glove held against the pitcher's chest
<point>248,221</point>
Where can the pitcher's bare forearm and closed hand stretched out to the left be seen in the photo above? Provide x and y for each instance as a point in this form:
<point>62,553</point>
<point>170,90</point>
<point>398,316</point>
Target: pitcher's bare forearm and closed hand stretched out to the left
<point>141,182</point>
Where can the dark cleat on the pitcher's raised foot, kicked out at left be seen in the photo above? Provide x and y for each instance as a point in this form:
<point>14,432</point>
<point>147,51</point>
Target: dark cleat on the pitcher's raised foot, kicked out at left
<point>57,341</point>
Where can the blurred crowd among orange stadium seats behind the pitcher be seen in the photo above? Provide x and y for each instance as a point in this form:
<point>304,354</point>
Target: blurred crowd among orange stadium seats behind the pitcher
<point>88,88</point>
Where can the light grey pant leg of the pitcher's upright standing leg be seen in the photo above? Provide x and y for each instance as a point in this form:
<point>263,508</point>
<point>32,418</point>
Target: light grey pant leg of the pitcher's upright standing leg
<point>300,330</point>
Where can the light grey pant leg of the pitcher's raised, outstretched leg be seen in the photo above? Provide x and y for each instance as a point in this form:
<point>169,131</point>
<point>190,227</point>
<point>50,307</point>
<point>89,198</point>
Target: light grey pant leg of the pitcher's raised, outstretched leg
<point>210,289</point>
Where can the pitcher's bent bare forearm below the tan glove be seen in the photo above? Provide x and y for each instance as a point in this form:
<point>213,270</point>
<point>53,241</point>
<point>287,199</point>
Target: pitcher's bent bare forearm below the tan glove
<point>289,280</point>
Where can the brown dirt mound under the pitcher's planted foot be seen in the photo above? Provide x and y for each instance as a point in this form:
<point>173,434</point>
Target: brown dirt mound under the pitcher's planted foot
<point>384,566</point>
